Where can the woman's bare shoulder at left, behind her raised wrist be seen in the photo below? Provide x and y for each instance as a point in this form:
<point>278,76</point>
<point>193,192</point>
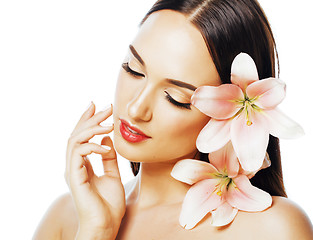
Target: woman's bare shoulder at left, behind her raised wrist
<point>60,221</point>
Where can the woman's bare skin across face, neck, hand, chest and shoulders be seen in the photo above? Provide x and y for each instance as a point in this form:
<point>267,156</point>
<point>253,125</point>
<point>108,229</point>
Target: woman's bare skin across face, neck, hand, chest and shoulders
<point>98,208</point>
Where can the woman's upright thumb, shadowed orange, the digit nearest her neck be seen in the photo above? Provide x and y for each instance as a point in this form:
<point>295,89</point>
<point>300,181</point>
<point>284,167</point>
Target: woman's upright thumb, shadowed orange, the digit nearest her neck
<point>109,160</point>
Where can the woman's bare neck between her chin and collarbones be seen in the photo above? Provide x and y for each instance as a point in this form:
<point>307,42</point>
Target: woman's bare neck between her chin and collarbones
<point>155,186</point>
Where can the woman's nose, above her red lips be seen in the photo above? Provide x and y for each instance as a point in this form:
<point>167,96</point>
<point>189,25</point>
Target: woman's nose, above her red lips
<point>140,108</point>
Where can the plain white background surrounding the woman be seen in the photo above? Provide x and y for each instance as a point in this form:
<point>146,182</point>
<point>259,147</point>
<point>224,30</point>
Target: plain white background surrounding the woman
<point>57,56</point>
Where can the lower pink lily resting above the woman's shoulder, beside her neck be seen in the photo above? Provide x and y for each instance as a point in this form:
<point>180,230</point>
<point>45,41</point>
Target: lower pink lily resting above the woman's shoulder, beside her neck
<point>219,187</point>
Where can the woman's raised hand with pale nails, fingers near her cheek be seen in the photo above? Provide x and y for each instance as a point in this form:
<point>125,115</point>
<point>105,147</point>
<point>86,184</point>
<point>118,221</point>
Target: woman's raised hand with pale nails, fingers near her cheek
<point>99,201</point>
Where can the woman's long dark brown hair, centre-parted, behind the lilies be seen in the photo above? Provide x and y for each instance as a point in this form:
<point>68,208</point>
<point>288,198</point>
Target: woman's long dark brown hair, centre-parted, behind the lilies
<point>228,28</point>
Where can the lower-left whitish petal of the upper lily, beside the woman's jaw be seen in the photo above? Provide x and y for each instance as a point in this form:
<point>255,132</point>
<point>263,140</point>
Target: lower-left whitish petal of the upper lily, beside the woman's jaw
<point>214,135</point>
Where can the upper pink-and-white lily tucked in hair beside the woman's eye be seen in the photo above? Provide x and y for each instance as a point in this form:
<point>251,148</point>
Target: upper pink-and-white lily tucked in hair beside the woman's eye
<point>244,112</point>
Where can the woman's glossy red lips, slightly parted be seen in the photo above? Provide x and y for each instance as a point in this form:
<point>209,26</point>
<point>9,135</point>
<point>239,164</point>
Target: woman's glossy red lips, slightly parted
<point>130,133</point>
